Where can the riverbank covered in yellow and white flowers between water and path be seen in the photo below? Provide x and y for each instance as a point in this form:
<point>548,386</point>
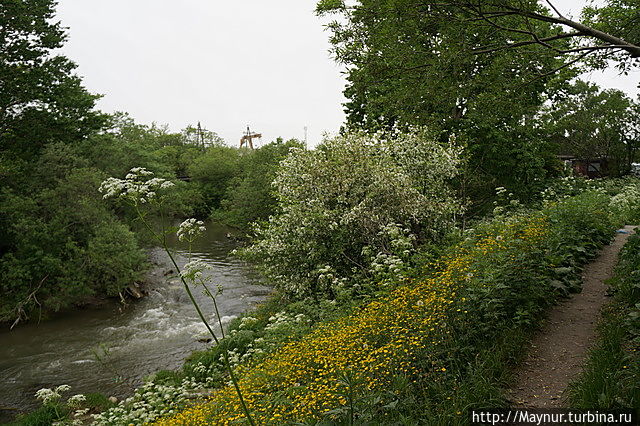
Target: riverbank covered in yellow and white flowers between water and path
<point>285,344</point>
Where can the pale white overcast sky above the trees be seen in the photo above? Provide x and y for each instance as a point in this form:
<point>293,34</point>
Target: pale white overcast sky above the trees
<point>226,64</point>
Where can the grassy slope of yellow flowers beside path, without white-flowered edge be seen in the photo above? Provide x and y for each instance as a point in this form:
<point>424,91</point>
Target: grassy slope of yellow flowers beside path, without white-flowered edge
<point>431,349</point>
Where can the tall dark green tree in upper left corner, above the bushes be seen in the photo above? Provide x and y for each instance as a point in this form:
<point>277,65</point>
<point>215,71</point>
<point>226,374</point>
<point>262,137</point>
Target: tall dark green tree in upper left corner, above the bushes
<point>41,100</point>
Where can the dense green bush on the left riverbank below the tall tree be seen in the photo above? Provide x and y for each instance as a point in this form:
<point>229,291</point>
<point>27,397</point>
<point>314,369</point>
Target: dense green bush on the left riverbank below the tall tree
<point>57,235</point>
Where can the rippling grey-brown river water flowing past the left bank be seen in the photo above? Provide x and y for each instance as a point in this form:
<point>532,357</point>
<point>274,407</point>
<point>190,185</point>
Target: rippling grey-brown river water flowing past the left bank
<point>157,332</point>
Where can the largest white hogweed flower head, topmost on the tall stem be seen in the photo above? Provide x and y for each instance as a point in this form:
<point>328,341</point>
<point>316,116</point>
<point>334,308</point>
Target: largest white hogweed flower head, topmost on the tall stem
<point>137,186</point>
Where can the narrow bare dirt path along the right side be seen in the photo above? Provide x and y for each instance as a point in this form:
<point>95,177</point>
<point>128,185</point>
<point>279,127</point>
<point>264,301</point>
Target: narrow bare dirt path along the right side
<point>559,350</point>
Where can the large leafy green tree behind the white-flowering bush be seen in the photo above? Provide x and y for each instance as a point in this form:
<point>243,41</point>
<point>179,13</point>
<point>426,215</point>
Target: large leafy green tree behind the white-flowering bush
<point>411,62</point>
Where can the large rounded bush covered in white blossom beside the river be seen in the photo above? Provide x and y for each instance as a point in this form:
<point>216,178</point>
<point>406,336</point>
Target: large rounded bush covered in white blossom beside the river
<point>356,204</point>
